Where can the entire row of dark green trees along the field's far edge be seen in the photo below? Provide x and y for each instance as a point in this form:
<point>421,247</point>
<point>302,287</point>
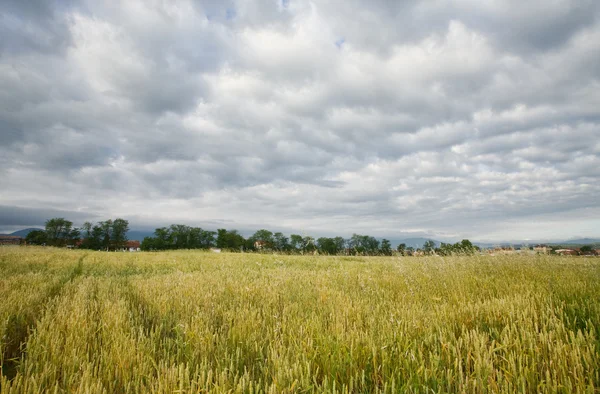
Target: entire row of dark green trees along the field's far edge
<point>112,235</point>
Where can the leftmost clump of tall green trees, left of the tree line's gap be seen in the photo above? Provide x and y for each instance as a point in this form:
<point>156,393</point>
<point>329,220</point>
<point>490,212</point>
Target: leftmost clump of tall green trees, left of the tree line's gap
<point>105,235</point>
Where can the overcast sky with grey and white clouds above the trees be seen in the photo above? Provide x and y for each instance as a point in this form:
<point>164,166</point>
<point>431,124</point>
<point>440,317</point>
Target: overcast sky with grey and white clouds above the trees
<point>450,119</point>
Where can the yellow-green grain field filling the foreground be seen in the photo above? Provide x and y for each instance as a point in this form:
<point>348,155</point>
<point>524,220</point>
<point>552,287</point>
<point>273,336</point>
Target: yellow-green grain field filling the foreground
<point>93,322</point>
